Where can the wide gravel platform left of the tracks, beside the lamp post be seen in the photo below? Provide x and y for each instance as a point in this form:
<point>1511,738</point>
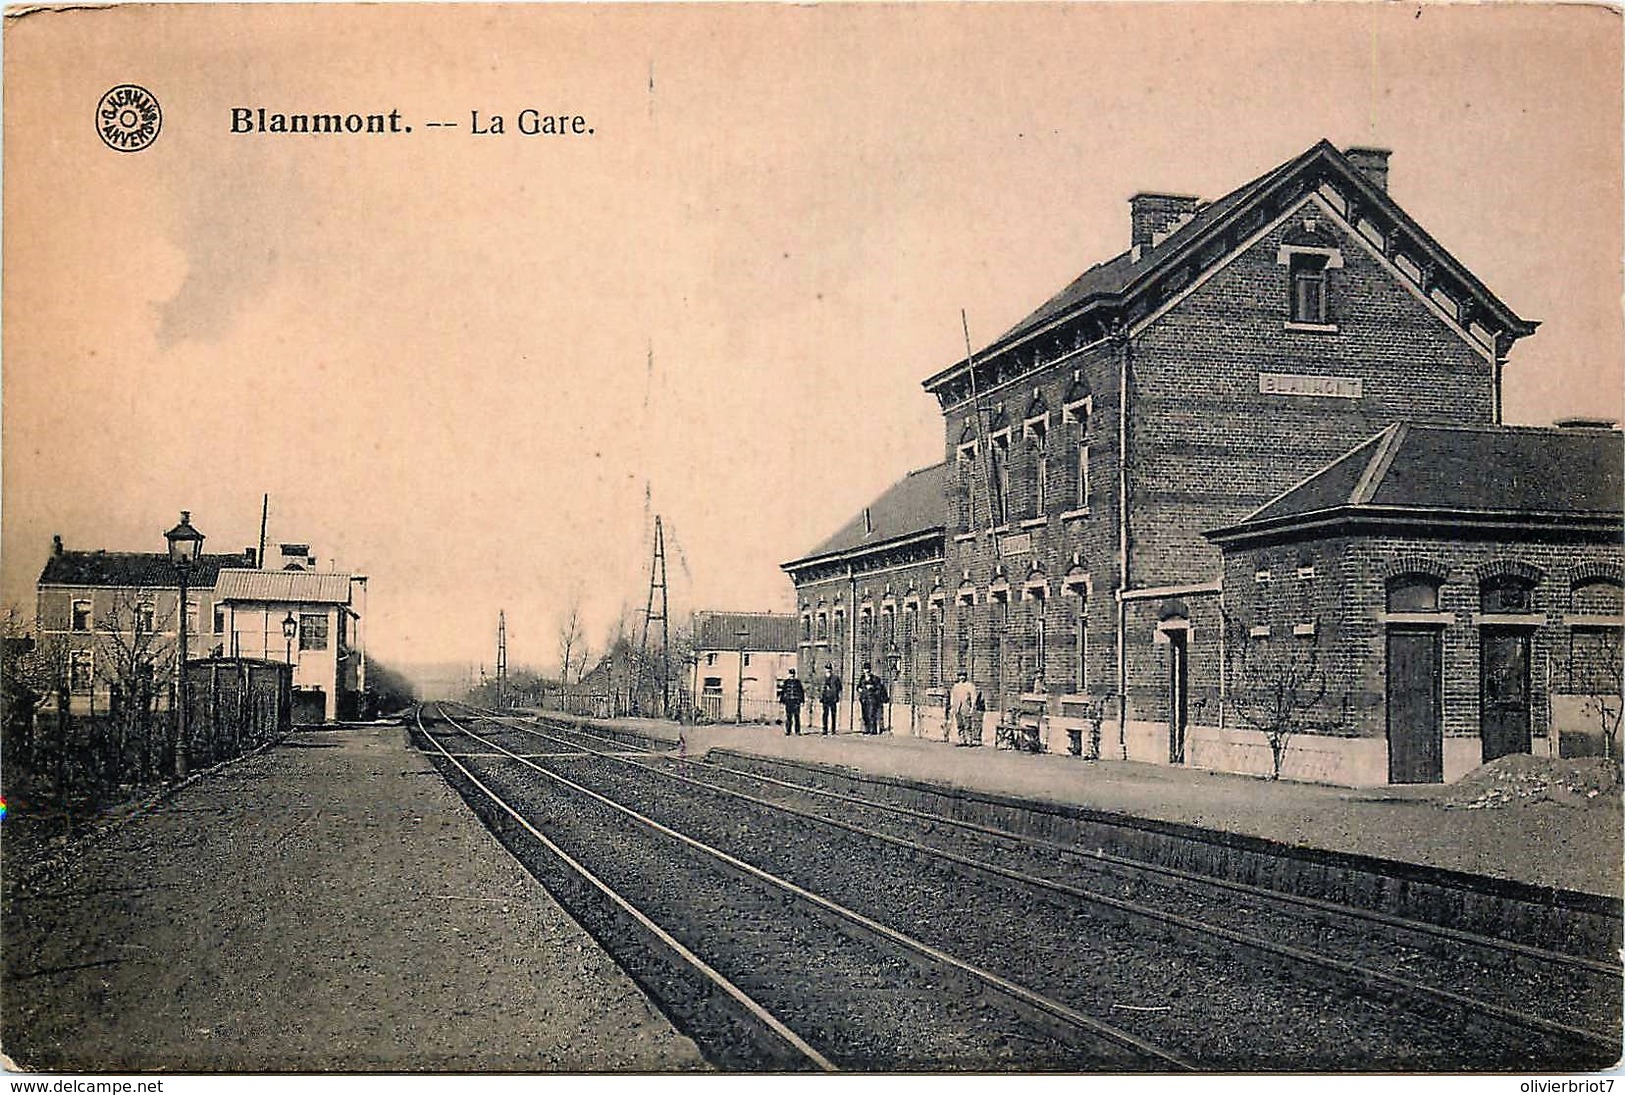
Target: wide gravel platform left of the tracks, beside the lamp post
<point>327,904</point>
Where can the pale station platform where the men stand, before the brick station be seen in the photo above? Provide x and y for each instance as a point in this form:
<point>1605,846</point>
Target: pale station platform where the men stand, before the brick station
<point>1571,842</point>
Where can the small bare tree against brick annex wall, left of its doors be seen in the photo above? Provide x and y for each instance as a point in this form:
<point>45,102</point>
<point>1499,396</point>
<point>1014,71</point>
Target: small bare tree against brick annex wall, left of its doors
<point>1278,686</point>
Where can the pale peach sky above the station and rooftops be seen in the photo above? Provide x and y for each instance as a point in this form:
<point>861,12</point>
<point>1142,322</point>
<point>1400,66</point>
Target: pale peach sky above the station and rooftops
<point>433,348</point>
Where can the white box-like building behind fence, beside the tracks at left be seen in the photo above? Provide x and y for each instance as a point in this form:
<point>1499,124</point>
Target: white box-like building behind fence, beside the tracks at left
<point>306,618</point>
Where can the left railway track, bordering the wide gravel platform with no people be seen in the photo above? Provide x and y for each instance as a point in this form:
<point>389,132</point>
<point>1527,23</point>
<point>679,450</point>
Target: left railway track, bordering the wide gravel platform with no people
<point>747,961</point>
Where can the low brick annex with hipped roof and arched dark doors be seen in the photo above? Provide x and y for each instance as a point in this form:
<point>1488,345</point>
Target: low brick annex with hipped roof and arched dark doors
<point>1431,602</point>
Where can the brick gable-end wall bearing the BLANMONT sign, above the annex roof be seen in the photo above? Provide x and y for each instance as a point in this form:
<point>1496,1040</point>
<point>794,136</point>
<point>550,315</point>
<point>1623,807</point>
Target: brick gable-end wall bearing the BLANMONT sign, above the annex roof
<point>1207,448</point>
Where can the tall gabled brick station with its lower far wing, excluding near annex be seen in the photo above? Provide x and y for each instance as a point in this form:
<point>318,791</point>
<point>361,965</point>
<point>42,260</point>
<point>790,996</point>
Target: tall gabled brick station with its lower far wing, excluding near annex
<point>1237,348</point>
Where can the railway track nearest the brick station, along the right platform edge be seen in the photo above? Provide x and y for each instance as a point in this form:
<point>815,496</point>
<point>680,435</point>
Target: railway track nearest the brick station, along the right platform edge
<point>1377,1002</point>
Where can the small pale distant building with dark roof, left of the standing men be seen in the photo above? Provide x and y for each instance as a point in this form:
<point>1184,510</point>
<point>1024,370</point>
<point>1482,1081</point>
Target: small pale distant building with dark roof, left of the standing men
<point>739,662</point>
